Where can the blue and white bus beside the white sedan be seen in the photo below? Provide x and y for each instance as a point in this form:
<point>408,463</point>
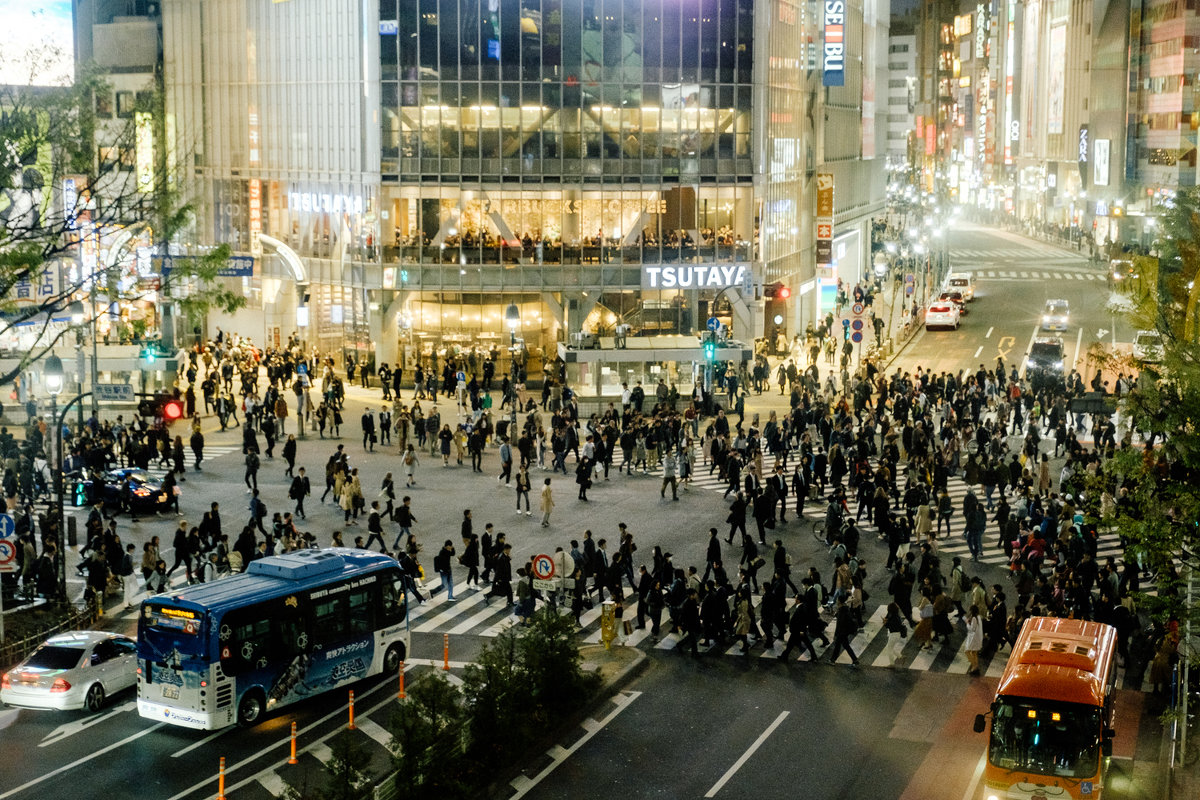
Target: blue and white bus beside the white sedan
<point>291,627</point>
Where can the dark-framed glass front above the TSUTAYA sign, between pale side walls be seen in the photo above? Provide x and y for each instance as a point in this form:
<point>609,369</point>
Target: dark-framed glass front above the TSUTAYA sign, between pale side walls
<point>566,148</point>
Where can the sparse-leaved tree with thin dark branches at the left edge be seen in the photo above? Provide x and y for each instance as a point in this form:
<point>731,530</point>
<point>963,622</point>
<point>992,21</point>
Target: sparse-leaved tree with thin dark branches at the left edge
<point>61,194</point>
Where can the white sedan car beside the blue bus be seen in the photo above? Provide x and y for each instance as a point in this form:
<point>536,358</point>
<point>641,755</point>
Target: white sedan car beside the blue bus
<point>73,671</point>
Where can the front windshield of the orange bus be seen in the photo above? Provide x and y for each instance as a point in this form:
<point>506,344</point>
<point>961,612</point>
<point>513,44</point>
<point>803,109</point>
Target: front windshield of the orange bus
<point>1046,738</point>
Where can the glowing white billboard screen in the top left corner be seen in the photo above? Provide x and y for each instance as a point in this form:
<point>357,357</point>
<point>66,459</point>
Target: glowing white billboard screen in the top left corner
<point>45,29</point>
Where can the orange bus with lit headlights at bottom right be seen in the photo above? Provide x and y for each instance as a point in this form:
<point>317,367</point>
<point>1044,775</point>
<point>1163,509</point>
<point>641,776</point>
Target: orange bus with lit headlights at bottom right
<point>1052,721</point>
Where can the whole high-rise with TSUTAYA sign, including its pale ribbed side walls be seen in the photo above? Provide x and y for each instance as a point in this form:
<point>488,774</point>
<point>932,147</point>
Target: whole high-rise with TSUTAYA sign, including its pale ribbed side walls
<point>419,169</point>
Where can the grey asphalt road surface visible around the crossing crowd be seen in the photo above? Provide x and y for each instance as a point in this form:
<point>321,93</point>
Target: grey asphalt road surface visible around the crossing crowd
<point>838,737</point>
